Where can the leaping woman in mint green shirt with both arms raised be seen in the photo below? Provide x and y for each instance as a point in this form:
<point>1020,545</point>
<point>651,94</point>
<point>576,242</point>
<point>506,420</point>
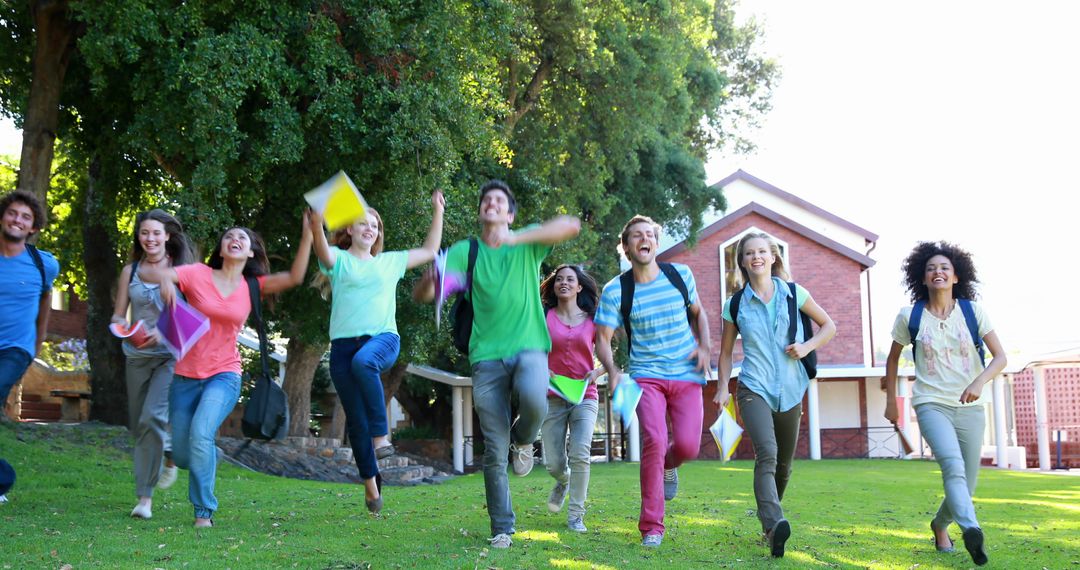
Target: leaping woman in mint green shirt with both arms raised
<point>364,341</point>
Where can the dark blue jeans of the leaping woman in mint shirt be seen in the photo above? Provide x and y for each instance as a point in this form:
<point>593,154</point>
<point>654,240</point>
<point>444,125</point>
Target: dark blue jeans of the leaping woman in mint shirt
<point>357,365</point>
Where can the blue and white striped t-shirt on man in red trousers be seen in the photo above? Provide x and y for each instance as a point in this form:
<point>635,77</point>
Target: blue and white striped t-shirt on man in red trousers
<point>663,340</point>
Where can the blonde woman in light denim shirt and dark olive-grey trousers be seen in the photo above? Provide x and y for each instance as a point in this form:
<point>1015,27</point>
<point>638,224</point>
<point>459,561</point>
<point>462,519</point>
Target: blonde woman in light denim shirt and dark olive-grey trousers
<point>773,382</point>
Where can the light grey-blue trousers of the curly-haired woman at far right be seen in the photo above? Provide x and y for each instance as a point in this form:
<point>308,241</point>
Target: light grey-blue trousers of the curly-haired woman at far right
<point>955,435</point>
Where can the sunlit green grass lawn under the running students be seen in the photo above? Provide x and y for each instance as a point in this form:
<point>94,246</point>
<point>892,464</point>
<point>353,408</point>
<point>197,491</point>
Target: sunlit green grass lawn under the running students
<point>75,492</point>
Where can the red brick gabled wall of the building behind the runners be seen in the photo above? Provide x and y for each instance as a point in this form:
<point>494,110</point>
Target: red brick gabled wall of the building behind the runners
<point>832,279</point>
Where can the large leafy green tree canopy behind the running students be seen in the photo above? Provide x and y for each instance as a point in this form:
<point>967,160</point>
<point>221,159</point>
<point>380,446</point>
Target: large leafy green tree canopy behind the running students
<point>229,112</point>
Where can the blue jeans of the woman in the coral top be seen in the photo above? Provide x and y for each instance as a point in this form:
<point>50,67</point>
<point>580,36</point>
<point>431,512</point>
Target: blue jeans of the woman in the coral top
<point>196,411</point>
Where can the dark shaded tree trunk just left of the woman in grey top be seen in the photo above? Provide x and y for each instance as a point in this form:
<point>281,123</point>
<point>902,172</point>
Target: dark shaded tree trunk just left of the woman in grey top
<point>107,384</point>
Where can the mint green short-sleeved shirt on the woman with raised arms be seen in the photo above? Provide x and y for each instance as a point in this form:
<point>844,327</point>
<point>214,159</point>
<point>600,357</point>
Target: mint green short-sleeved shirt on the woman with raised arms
<point>364,298</point>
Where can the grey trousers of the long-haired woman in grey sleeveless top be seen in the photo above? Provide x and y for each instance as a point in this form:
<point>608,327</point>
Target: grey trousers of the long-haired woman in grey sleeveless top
<point>148,379</point>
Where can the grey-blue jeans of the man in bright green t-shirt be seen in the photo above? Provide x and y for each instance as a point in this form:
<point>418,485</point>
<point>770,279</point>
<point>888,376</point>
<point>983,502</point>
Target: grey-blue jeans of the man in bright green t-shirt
<point>497,386</point>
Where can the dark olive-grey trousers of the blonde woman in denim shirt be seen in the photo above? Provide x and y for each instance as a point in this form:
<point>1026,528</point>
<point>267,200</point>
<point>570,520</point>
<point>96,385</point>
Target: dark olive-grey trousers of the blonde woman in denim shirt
<point>775,436</point>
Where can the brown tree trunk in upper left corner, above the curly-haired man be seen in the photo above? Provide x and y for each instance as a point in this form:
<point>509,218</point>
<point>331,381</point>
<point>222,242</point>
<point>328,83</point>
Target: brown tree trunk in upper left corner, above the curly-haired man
<point>55,43</point>
